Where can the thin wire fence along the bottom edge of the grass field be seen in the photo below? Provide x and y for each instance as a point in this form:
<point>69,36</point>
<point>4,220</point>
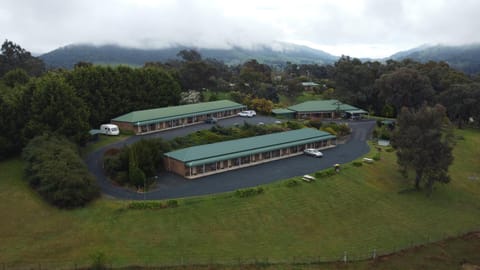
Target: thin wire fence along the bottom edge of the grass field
<point>345,257</point>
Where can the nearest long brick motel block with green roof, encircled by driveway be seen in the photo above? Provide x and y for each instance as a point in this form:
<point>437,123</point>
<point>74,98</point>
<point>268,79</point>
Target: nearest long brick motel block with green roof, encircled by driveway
<point>203,160</point>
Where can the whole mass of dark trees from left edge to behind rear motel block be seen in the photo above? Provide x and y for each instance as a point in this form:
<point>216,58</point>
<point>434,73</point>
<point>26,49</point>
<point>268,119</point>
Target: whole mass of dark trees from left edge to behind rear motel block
<point>69,103</point>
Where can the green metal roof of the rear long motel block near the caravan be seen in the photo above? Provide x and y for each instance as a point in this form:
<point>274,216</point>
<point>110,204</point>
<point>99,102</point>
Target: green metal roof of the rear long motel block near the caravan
<point>176,112</point>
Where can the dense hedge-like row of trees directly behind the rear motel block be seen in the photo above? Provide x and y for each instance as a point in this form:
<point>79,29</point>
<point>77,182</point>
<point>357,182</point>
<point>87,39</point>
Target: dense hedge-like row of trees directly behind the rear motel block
<point>111,91</point>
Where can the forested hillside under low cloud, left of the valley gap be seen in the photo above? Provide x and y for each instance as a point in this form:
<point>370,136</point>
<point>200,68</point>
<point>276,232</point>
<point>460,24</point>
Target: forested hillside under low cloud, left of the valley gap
<point>68,56</point>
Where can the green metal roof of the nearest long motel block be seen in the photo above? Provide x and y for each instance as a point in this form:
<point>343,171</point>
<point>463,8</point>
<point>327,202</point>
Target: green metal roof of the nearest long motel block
<point>208,153</point>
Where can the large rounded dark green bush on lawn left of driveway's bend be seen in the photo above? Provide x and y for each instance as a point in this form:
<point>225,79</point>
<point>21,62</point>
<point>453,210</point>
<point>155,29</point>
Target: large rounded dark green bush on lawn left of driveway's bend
<point>56,171</point>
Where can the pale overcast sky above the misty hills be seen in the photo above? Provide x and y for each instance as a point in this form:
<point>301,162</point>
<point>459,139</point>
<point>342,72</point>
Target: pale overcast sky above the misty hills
<point>359,28</point>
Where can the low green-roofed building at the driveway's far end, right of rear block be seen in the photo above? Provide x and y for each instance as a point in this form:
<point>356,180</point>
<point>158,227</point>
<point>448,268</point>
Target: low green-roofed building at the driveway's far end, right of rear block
<point>321,109</point>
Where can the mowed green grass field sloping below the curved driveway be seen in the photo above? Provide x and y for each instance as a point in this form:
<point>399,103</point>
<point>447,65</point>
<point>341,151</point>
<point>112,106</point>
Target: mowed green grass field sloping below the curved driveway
<point>357,211</point>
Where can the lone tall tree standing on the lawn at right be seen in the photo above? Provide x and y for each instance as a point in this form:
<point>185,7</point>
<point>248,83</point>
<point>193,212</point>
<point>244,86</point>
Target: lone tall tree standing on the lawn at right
<point>423,140</point>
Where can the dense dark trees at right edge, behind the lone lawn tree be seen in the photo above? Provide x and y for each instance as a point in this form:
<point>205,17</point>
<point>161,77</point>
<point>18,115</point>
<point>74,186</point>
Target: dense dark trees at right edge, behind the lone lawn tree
<point>384,89</point>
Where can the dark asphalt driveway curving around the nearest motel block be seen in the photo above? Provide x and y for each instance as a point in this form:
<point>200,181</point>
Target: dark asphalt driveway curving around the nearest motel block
<point>171,185</point>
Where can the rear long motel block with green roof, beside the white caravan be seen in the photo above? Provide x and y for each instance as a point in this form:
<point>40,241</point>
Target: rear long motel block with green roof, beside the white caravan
<point>154,120</point>
